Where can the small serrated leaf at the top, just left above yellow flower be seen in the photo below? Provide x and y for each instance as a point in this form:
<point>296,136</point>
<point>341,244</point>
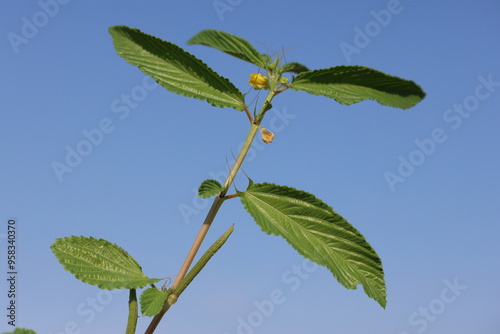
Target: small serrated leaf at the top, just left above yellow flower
<point>230,44</point>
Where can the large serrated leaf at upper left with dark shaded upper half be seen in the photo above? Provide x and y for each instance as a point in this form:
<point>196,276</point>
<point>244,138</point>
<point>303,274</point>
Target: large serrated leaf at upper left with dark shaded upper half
<point>175,69</point>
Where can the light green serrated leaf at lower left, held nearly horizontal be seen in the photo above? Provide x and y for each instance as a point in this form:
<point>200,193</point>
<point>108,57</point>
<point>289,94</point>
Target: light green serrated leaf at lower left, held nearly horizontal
<point>100,262</point>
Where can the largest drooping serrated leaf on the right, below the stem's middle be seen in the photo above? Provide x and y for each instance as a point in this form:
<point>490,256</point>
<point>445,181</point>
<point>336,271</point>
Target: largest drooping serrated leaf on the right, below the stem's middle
<point>318,233</point>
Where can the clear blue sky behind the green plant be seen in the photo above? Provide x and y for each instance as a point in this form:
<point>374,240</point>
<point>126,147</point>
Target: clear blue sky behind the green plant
<point>422,185</point>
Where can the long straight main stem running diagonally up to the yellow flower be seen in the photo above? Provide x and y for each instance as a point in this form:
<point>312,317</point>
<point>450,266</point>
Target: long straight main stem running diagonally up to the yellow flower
<point>219,199</point>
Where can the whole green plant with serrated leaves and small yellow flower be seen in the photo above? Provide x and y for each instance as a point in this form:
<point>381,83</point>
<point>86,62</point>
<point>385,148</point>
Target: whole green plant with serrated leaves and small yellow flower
<point>309,225</point>
